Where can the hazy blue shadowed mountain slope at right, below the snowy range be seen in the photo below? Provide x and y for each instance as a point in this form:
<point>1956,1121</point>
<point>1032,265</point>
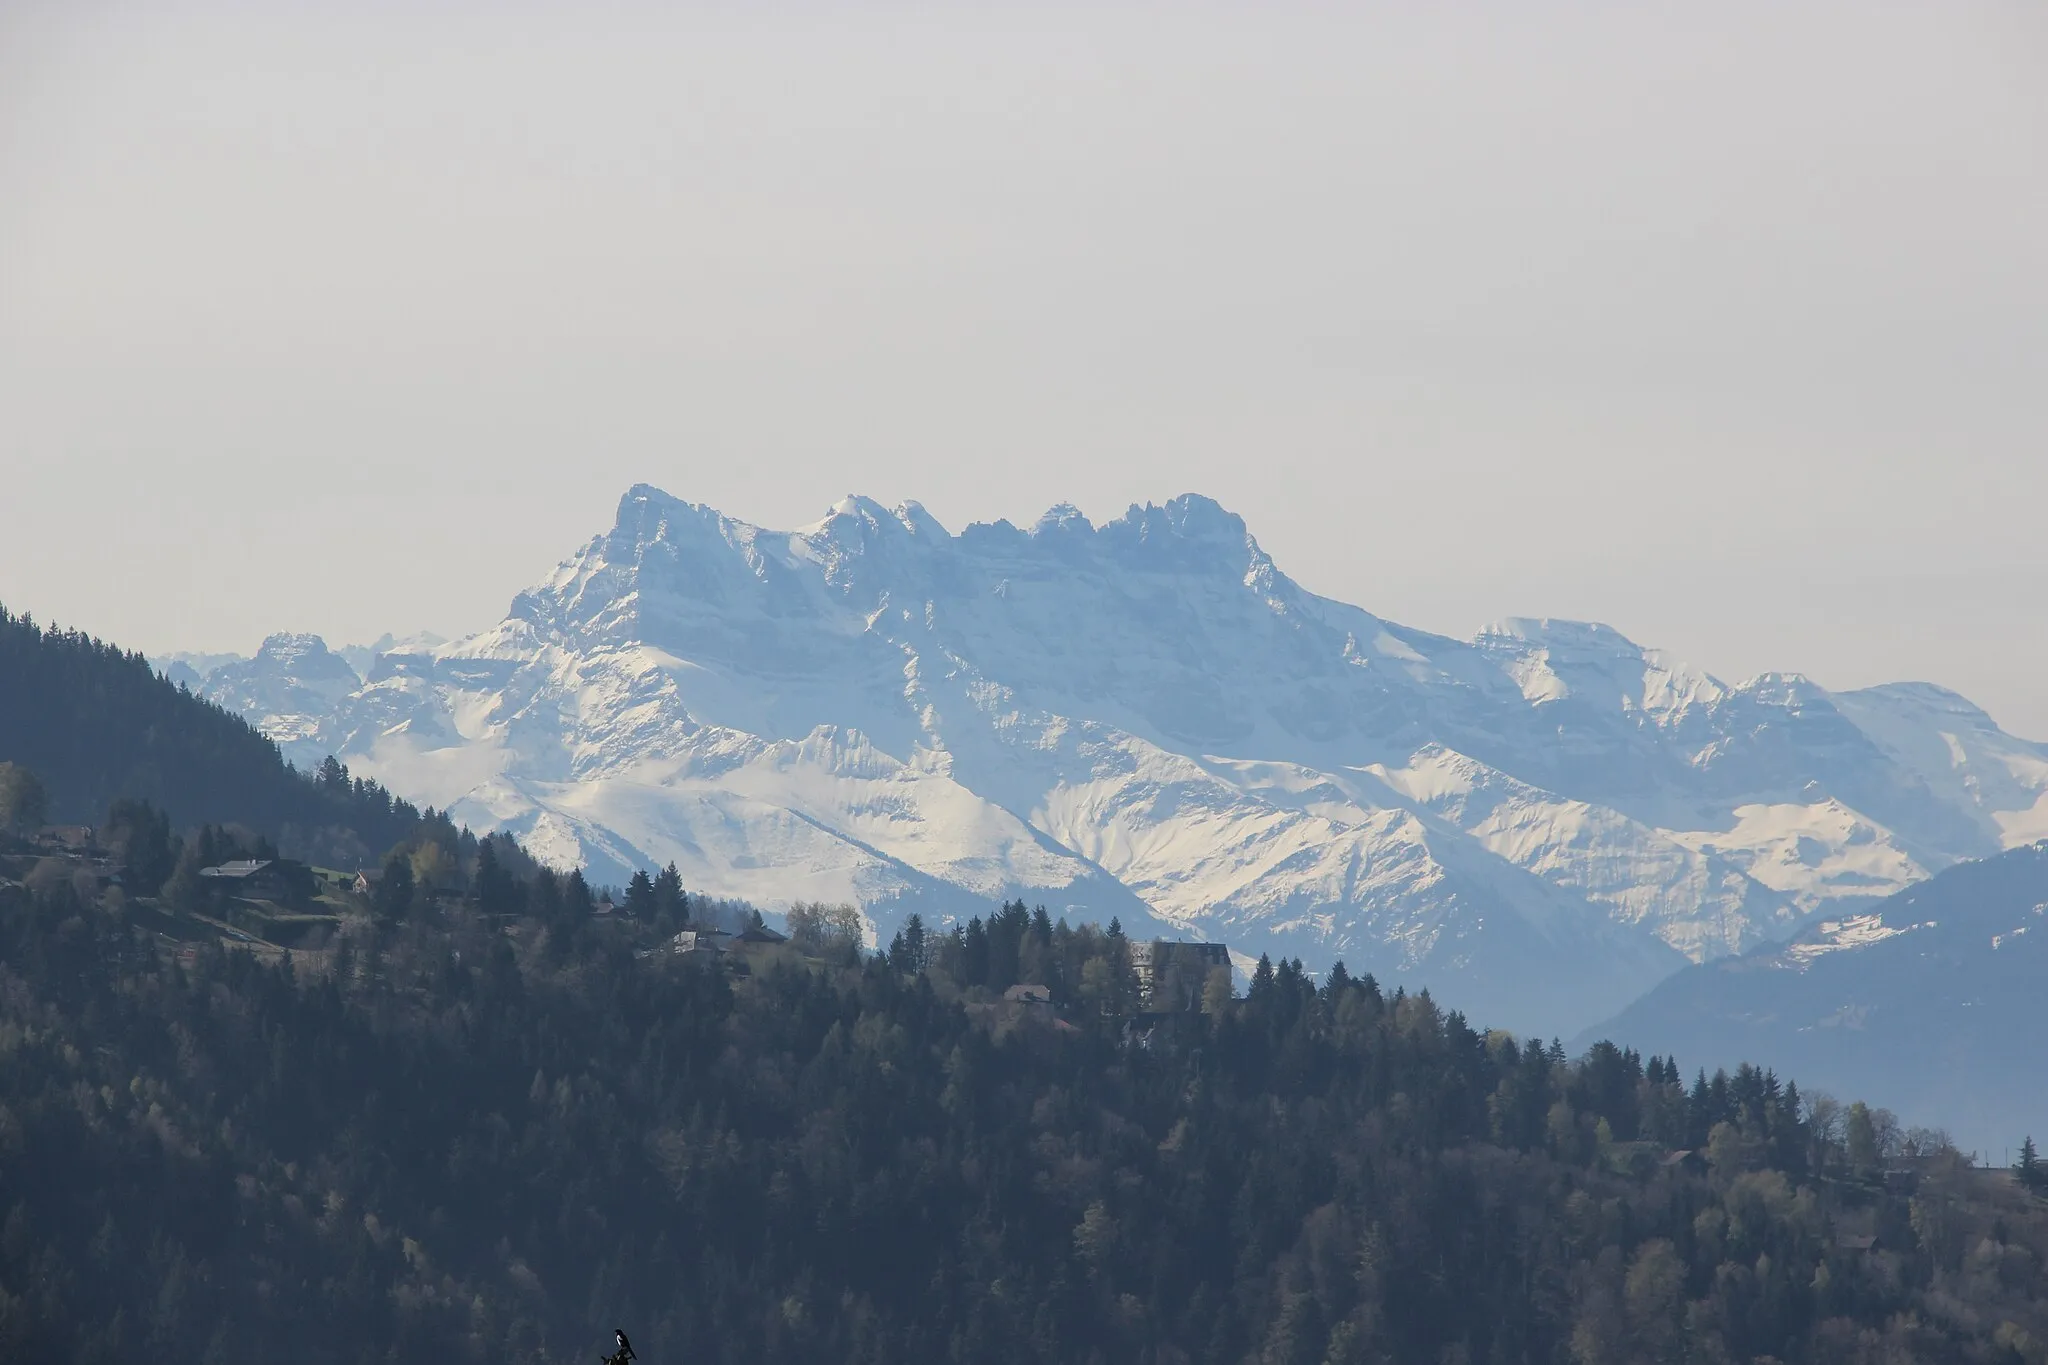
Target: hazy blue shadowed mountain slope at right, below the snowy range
<point>1928,1004</point>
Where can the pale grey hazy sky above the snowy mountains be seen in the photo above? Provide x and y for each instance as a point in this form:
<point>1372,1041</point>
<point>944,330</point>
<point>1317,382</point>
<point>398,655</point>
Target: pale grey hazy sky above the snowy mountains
<point>1721,322</point>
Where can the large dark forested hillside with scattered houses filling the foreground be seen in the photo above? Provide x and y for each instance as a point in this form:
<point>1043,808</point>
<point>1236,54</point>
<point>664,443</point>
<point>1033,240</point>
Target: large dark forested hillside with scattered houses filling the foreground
<point>484,1127</point>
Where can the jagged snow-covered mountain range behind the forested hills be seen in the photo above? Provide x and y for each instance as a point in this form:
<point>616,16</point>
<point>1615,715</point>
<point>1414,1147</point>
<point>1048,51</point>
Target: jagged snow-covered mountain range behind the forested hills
<point>1150,719</point>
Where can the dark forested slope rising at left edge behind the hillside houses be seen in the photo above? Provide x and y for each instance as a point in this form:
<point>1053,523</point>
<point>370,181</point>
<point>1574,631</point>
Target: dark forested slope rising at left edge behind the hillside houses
<point>97,723</point>
